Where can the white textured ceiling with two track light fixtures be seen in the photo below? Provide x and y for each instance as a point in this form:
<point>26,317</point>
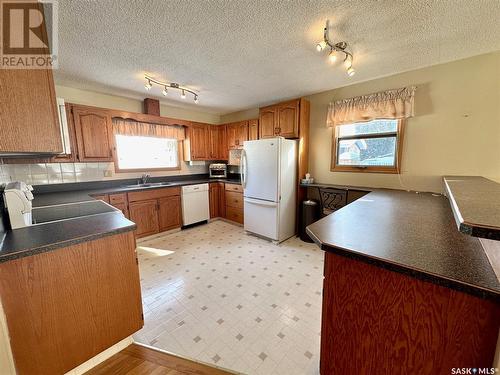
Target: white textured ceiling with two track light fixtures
<point>240,54</point>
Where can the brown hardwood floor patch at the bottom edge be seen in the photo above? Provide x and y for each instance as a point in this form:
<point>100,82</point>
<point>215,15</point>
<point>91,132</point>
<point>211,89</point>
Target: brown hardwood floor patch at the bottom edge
<point>136,359</point>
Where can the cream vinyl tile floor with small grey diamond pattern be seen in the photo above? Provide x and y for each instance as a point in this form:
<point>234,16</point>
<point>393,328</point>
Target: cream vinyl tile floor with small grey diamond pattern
<point>218,295</point>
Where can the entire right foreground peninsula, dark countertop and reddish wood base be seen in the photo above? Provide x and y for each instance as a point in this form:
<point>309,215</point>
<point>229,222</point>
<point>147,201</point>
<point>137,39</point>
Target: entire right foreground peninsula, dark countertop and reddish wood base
<point>404,292</point>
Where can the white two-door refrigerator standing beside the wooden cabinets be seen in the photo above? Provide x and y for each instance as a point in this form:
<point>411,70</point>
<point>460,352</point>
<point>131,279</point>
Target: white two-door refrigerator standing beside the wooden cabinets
<point>269,179</point>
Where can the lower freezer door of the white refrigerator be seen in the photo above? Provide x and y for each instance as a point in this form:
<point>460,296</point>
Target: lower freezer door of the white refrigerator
<point>261,217</point>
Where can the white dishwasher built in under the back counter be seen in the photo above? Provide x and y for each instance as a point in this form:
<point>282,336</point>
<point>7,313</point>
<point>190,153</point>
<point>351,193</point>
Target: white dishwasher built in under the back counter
<point>195,204</point>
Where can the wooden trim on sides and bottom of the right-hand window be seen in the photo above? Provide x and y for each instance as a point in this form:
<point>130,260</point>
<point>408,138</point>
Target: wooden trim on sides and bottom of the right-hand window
<point>370,169</point>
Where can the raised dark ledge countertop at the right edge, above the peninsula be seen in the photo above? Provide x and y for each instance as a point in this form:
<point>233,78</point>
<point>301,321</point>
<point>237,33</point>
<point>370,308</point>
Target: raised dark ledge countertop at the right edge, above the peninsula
<point>475,202</point>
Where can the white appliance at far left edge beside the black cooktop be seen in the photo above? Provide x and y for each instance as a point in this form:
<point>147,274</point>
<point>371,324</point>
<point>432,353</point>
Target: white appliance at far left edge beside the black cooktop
<point>17,198</point>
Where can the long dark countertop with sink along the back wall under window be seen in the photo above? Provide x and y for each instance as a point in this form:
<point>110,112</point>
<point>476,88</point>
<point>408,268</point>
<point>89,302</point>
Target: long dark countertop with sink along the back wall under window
<point>59,197</point>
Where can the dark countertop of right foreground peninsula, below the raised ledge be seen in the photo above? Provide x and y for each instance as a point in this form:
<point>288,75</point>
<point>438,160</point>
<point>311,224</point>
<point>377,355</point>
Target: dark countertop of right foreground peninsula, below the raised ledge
<point>410,233</point>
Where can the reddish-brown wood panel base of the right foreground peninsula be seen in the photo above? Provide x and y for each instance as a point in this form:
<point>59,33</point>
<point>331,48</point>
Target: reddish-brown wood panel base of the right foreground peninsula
<point>377,321</point>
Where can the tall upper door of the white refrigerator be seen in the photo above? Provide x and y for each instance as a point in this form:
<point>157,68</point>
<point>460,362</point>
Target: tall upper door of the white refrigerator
<point>260,167</point>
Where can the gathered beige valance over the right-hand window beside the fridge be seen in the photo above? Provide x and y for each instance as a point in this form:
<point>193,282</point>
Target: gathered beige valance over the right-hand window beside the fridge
<point>390,104</point>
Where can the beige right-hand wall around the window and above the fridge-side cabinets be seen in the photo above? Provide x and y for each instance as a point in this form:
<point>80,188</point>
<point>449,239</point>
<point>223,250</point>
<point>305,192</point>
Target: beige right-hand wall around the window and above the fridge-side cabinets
<point>455,131</point>
